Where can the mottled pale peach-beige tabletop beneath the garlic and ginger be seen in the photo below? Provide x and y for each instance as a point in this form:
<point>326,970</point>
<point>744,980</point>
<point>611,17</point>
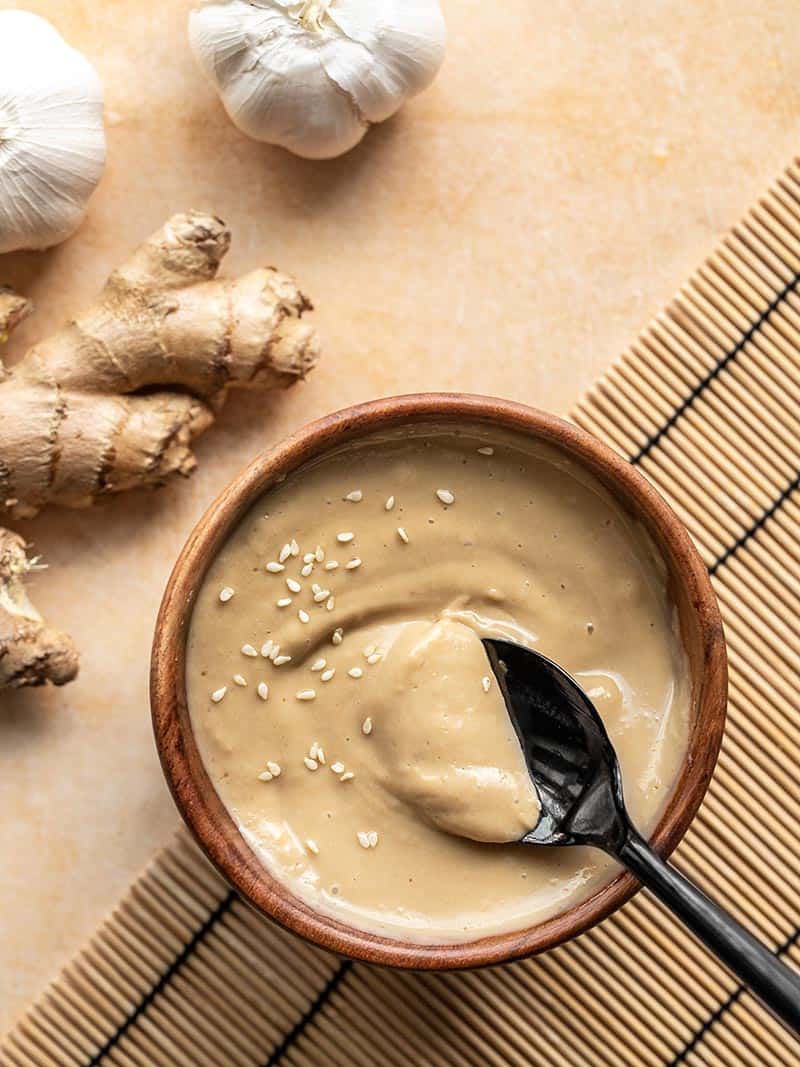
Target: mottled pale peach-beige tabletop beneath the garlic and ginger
<point>508,233</point>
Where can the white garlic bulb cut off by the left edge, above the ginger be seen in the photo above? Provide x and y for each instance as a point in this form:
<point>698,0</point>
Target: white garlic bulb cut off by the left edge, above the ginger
<point>53,149</point>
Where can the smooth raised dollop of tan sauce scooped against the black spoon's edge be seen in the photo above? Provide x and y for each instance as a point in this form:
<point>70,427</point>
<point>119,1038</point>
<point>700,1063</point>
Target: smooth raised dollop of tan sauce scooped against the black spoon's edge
<point>447,747</point>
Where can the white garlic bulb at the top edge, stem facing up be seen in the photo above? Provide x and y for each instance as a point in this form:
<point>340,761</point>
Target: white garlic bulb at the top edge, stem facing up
<point>314,75</point>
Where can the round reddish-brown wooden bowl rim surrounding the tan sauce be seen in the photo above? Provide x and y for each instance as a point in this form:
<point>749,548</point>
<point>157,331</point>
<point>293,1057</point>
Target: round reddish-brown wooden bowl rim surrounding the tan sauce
<point>195,794</point>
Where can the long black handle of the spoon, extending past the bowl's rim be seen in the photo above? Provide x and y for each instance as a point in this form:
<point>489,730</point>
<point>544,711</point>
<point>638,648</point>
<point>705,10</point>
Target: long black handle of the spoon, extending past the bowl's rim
<point>773,982</point>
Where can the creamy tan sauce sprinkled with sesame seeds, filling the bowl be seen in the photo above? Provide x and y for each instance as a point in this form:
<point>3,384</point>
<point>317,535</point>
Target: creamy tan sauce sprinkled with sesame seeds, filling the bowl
<point>360,741</point>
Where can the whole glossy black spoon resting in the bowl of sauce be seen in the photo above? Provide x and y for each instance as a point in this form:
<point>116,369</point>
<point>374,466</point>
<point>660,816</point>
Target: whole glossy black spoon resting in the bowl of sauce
<point>574,769</point>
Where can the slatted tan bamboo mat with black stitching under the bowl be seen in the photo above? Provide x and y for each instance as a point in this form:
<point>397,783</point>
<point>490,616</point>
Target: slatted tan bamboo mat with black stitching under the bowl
<point>707,404</point>
